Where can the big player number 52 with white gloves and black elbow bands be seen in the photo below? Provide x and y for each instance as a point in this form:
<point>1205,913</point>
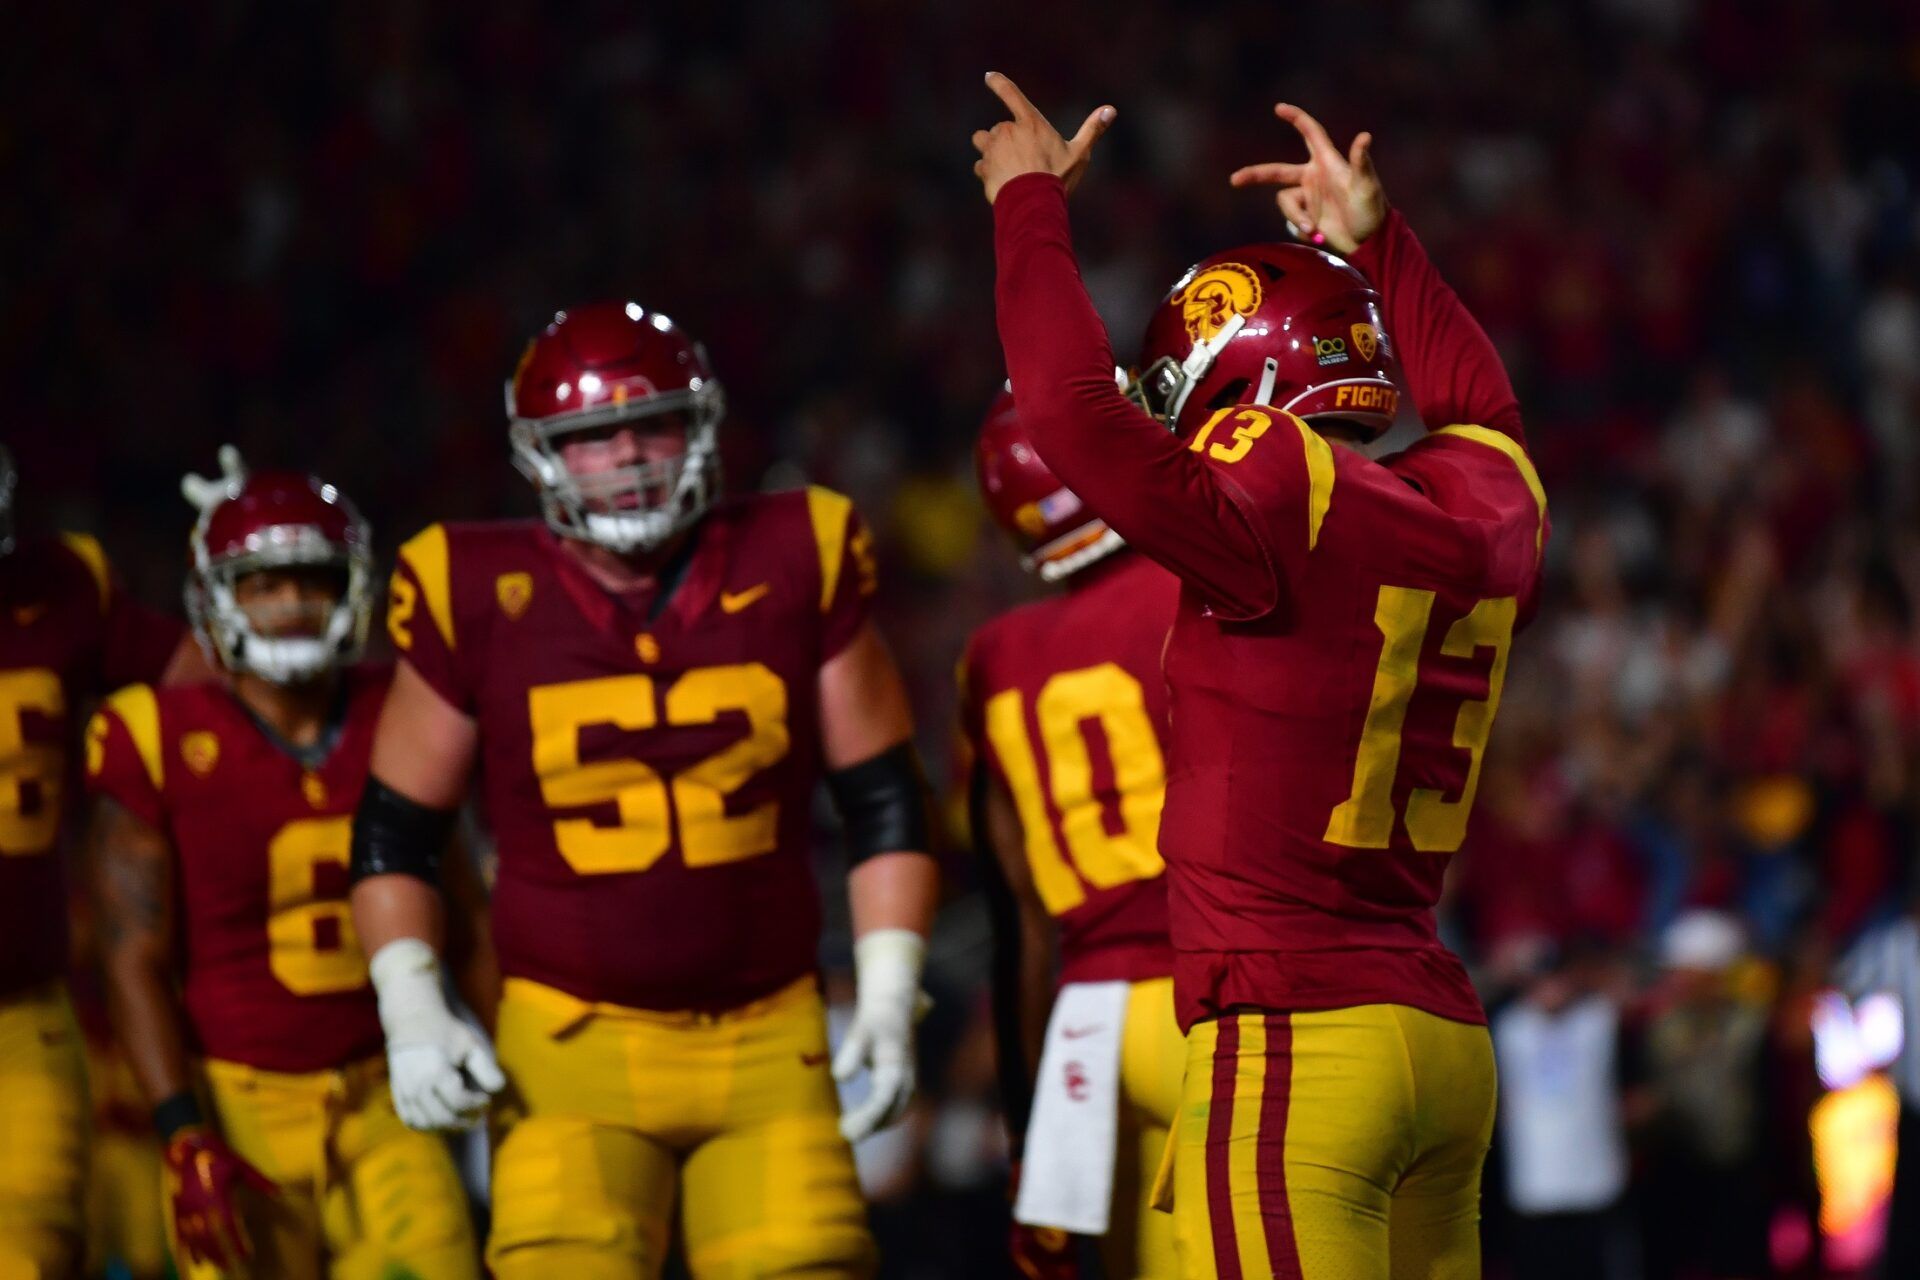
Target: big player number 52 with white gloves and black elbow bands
<point>654,682</point>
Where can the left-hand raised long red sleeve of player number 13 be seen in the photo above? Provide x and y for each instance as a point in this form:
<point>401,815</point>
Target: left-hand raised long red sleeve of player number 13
<point>1145,483</point>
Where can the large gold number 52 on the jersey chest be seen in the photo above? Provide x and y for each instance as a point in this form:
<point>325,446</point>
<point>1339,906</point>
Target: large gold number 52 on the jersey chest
<point>652,807</point>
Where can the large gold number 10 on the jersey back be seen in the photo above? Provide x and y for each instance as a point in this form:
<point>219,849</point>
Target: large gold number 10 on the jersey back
<point>1068,703</point>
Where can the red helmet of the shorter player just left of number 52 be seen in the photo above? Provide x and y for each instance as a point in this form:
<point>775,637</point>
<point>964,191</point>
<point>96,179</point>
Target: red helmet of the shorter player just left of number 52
<point>276,521</point>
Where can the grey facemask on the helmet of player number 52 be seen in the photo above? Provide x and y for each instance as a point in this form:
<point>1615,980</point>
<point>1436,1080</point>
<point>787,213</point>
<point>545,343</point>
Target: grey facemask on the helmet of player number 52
<point>635,508</point>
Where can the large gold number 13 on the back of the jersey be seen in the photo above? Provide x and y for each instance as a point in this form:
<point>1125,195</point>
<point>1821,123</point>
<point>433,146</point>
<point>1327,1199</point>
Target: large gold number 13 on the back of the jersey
<point>1435,824</point>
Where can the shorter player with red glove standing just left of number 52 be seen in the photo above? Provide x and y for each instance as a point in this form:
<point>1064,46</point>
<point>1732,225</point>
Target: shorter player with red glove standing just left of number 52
<point>220,866</point>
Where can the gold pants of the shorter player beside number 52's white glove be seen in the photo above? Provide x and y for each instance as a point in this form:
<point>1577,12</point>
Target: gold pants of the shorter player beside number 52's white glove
<point>362,1197</point>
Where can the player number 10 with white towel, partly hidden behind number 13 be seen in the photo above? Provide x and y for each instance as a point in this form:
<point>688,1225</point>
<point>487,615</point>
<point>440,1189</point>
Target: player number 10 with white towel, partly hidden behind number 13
<point>1065,711</point>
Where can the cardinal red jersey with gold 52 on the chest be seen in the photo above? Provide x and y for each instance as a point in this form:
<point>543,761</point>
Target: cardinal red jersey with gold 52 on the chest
<point>648,772</point>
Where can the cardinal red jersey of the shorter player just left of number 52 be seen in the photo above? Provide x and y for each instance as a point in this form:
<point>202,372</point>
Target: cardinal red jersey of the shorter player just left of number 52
<point>272,972</point>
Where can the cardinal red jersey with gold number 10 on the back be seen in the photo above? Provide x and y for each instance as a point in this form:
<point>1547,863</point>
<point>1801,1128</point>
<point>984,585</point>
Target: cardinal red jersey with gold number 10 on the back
<point>1065,703</point>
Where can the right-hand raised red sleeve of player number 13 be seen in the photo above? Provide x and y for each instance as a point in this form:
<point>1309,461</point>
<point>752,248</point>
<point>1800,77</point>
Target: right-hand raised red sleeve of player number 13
<point>1451,364</point>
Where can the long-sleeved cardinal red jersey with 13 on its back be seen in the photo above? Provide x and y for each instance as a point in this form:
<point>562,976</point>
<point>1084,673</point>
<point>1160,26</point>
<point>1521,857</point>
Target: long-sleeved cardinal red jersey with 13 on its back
<point>1341,640</point>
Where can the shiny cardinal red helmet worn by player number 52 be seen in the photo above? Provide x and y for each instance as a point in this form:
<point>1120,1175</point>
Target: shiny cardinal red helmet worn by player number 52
<point>590,371</point>
